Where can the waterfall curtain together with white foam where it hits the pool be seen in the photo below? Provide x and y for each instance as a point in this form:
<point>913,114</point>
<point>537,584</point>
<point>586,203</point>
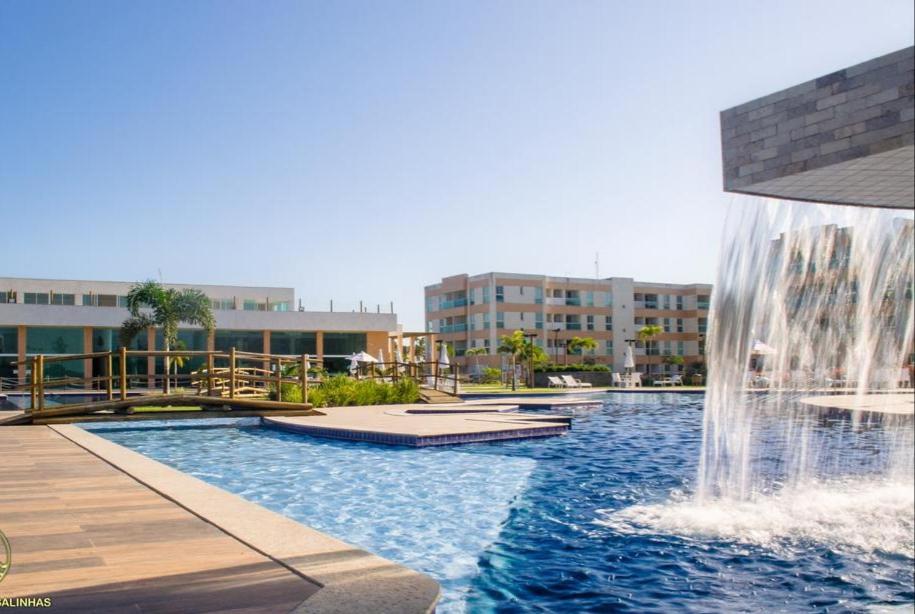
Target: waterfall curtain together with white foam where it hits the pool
<point>809,300</point>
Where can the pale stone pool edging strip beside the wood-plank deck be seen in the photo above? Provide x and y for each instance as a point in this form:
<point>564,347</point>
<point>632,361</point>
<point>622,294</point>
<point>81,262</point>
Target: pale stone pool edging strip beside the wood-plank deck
<point>350,579</point>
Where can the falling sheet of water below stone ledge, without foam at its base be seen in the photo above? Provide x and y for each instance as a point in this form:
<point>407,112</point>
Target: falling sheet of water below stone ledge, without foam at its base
<point>828,290</point>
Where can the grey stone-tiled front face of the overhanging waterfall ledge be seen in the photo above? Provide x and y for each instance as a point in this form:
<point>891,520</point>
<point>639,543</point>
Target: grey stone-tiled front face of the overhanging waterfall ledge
<point>851,113</point>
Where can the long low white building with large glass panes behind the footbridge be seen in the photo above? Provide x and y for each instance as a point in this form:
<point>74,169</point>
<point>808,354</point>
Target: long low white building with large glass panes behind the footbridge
<point>53,316</point>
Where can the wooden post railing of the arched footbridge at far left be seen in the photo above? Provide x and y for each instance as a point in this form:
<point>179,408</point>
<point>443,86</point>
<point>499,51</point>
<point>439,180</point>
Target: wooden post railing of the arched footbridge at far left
<point>229,374</point>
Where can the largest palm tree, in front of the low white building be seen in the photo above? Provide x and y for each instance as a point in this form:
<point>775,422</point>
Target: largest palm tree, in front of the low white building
<point>153,306</point>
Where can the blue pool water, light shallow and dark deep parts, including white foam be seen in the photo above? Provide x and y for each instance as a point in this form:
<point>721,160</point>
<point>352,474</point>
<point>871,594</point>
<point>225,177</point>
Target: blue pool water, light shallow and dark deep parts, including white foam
<point>556,524</point>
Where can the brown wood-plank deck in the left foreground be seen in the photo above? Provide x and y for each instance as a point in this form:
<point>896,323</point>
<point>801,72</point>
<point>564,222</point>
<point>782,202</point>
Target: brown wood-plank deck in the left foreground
<point>94,539</point>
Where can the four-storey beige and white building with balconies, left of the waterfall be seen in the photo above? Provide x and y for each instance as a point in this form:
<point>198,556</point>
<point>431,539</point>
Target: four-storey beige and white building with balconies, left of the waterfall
<point>469,311</point>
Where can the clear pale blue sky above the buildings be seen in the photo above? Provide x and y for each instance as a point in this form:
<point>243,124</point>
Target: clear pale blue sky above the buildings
<point>361,150</point>
